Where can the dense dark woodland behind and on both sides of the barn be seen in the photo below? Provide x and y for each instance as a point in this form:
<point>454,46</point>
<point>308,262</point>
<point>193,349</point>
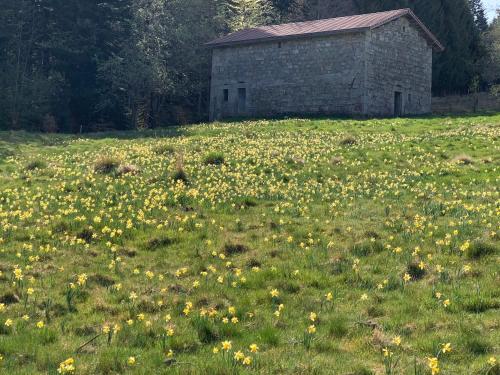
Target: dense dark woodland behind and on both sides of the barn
<point>90,65</point>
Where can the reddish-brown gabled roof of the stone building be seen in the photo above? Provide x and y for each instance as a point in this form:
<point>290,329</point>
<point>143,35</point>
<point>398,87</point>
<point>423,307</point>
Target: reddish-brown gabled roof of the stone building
<point>329,26</point>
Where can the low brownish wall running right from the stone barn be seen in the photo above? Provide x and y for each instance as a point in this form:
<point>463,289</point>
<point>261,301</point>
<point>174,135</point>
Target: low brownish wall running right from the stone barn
<point>482,102</point>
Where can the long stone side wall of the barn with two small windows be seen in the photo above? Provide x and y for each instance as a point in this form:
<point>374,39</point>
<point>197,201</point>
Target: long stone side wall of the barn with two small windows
<point>313,75</point>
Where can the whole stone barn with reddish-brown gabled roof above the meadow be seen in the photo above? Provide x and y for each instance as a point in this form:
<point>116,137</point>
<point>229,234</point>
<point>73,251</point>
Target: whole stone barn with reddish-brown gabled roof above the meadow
<point>377,64</point>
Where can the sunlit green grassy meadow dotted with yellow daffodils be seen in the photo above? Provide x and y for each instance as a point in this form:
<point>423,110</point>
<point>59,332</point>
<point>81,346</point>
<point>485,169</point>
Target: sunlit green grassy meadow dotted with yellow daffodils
<point>278,247</point>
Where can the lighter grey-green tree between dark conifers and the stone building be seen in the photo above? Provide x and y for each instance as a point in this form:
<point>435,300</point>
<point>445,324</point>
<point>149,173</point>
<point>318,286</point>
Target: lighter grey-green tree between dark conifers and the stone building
<point>137,74</point>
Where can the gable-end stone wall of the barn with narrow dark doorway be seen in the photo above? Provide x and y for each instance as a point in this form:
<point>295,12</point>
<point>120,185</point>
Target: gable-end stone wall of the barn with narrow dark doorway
<point>399,59</point>
